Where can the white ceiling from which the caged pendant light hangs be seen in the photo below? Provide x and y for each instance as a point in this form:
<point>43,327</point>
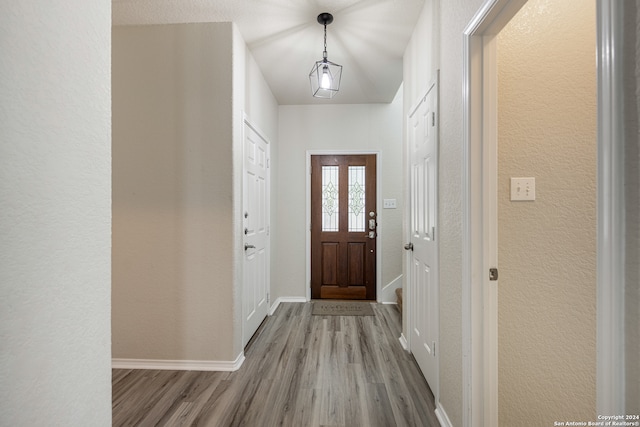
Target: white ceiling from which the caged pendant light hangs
<point>367,37</point>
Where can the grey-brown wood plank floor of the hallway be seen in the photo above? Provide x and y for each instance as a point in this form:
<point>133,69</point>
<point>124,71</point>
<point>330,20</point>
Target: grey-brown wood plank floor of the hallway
<point>300,370</point>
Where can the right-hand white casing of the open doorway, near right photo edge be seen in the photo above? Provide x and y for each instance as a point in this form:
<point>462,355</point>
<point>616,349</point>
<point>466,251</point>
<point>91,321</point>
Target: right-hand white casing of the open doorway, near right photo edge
<point>611,397</point>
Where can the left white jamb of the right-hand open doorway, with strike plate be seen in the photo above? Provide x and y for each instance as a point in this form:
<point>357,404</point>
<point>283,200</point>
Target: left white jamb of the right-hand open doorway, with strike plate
<point>479,210</point>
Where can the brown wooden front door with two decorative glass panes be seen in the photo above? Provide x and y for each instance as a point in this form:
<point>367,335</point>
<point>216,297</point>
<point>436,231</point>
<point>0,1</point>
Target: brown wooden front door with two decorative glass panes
<point>343,227</point>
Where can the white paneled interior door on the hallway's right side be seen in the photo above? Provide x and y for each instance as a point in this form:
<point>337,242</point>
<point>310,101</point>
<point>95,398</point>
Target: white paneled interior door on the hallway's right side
<point>423,272</point>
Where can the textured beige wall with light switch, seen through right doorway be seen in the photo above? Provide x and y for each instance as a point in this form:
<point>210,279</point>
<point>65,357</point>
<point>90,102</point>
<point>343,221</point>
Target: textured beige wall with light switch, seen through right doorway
<point>547,248</point>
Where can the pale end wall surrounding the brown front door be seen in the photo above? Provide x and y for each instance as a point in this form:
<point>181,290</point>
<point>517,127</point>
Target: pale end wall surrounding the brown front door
<point>374,127</point>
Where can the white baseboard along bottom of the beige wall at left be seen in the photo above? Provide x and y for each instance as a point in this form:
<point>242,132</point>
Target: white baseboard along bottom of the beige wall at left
<point>179,365</point>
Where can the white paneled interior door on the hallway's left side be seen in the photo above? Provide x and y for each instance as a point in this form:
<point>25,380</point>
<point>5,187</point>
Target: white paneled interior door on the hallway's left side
<point>255,303</point>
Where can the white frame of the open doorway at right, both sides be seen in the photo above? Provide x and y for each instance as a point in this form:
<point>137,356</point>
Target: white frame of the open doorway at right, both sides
<point>479,207</point>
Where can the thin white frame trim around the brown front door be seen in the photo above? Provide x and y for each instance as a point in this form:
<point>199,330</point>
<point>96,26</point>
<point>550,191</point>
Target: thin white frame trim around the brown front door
<point>379,229</point>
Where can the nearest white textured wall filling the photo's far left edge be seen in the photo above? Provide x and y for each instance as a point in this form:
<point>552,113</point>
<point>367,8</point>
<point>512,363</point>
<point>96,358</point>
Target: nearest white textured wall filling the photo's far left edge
<point>55,211</point>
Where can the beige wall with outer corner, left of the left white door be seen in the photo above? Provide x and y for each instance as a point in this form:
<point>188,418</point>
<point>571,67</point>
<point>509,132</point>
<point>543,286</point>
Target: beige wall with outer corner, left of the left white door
<point>179,92</point>
